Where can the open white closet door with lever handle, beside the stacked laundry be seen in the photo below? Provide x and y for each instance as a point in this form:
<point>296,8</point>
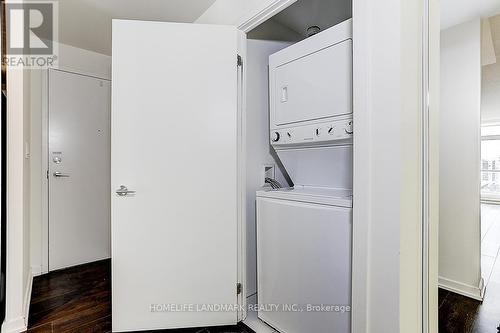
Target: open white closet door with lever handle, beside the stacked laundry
<point>176,201</point>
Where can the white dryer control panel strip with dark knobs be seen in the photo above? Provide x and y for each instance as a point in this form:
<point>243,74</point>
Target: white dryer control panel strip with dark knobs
<point>321,133</point>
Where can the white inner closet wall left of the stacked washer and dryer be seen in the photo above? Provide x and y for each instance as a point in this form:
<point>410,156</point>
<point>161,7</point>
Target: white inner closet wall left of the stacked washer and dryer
<point>257,136</point>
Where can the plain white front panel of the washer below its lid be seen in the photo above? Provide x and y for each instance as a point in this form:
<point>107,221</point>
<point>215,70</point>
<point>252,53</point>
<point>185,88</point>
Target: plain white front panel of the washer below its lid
<point>304,257</point>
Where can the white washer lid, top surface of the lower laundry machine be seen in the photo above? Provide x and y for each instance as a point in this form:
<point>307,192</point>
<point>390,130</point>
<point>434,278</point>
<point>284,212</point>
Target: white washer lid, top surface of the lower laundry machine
<point>317,195</point>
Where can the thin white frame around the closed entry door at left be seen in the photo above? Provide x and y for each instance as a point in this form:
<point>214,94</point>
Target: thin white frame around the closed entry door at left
<point>45,158</point>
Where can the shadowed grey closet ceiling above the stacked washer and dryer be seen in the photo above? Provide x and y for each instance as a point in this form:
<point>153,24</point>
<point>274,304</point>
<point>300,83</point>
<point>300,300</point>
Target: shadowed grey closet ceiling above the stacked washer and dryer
<point>322,13</point>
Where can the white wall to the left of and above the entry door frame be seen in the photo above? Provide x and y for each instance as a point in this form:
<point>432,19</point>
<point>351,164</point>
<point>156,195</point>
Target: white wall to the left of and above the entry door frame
<point>74,60</point>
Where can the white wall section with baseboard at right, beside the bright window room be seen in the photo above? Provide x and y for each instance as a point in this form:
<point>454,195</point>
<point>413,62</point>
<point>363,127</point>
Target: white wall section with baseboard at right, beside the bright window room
<point>459,229</point>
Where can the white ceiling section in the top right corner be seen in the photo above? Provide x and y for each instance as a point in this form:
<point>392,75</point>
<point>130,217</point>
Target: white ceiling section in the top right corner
<point>458,11</point>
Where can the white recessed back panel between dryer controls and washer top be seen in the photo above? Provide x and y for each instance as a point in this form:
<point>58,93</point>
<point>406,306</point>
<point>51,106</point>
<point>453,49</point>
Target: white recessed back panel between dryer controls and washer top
<point>319,166</point>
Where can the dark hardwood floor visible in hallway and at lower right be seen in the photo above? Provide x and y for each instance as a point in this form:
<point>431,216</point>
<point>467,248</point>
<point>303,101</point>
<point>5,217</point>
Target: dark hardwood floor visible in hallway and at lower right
<point>78,299</point>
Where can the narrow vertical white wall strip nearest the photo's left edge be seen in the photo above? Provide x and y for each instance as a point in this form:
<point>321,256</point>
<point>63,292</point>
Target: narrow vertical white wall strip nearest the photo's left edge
<point>19,278</point>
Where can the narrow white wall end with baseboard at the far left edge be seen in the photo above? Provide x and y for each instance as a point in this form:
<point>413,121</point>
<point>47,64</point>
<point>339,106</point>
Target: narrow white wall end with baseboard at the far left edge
<point>16,317</point>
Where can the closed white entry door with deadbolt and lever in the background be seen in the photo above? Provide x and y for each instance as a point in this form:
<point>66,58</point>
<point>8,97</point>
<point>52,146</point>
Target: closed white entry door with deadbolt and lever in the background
<point>79,169</point>
